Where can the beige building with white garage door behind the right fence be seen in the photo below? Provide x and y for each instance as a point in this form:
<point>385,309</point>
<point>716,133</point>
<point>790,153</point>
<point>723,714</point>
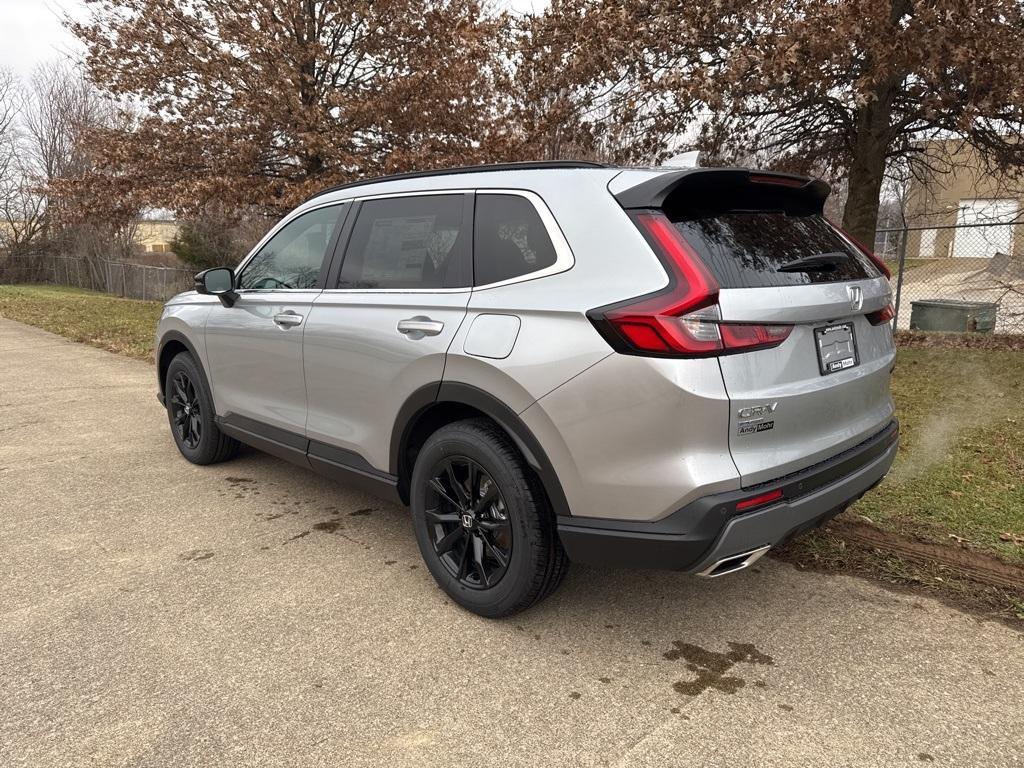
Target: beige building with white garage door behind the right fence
<point>966,212</point>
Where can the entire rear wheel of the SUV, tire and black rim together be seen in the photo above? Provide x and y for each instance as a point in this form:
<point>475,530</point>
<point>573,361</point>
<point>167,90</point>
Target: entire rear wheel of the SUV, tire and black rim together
<point>510,521</point>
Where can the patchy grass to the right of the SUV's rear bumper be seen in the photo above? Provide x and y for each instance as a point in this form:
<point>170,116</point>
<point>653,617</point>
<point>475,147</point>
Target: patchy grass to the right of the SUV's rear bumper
<point>959,477</point>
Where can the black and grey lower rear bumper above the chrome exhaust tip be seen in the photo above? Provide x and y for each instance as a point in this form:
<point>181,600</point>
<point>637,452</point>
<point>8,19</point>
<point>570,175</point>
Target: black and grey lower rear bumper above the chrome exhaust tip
<point>709,530</point>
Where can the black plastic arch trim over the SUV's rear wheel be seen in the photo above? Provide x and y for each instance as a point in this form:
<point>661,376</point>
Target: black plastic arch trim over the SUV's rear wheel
<point>439,394</point>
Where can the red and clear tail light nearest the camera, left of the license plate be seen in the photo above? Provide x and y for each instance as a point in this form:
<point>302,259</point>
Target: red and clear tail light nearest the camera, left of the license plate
<point>684,320</point>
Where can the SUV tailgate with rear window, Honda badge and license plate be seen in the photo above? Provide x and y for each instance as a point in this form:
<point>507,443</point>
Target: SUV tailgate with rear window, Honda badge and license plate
<point>826,389</point>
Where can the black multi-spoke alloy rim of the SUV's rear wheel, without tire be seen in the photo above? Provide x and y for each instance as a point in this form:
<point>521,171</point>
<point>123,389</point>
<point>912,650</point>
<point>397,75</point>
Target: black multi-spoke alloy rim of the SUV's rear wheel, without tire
<point>470,523</point>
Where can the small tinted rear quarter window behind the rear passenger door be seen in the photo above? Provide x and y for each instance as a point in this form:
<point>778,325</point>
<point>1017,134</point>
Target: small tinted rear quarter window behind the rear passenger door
<point>509,239</point>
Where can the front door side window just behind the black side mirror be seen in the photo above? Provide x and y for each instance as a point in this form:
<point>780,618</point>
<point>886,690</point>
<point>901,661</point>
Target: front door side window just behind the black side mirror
<point>293,258</point>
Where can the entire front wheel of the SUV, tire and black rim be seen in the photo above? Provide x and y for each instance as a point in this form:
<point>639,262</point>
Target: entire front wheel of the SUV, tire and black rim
<point>197,437</point>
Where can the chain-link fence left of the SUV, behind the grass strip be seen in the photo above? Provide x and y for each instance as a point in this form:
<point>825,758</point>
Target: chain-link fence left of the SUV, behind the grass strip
<point>120,278</point>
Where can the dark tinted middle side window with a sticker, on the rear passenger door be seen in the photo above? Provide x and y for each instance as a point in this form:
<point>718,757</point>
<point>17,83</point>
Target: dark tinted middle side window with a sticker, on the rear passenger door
<point>413,242</point>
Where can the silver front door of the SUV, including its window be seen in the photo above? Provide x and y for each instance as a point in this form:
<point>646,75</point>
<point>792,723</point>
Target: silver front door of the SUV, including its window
<point>254,349</point>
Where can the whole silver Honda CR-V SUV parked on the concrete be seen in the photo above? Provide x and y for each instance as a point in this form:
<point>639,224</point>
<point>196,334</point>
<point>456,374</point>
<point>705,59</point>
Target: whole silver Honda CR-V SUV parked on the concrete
<point>553,362</point>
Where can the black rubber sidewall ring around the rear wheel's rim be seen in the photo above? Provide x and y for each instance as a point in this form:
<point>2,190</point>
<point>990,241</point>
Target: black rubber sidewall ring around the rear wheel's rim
<point>453,442</point>
